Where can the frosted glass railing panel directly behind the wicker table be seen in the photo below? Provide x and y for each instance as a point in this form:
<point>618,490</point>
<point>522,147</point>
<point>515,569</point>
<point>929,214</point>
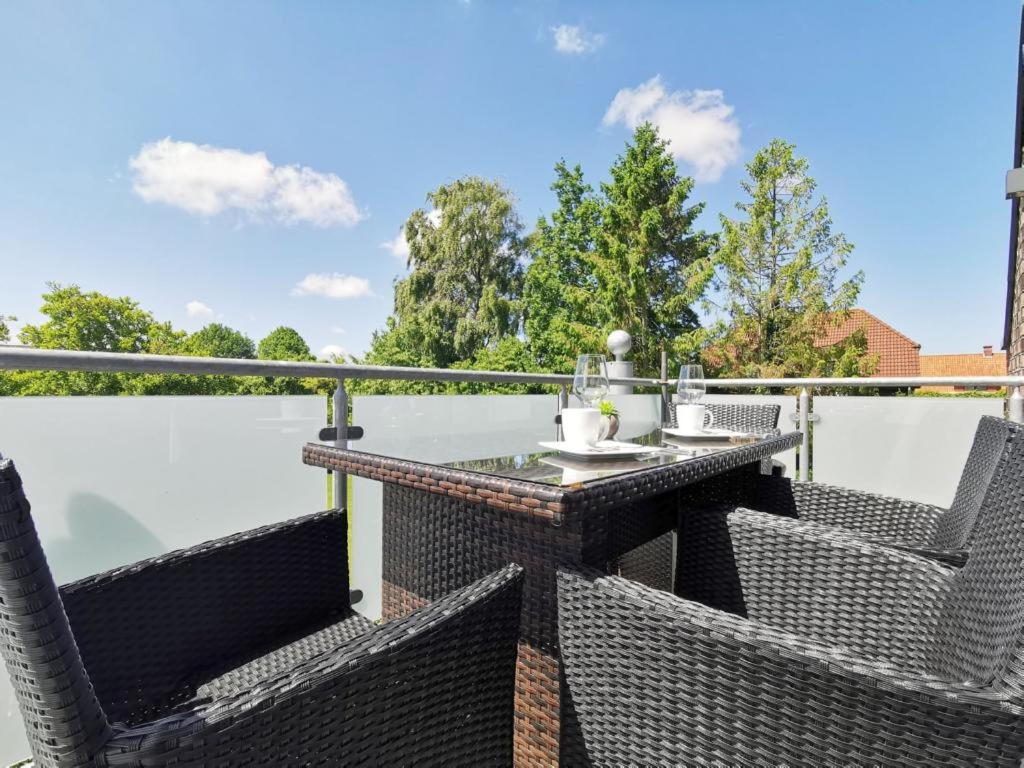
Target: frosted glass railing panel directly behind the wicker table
<point>421,426</point>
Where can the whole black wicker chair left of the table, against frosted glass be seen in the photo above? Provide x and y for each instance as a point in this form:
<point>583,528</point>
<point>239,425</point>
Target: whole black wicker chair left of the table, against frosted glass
<point>245,652</point>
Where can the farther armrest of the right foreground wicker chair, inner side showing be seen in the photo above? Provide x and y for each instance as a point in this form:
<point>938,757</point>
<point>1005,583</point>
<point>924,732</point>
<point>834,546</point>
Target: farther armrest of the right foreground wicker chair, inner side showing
<point>836,588</point>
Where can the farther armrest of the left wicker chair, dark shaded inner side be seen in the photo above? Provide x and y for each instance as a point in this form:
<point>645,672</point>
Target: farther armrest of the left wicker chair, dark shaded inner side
<point>146,630</point>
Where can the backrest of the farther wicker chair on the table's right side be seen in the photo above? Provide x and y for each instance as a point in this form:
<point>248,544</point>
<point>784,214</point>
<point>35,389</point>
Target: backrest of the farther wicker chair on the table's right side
<point>957,528</point>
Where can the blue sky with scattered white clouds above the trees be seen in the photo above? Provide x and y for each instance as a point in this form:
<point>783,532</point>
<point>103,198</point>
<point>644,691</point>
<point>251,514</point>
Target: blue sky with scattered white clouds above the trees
<point>156,150</point>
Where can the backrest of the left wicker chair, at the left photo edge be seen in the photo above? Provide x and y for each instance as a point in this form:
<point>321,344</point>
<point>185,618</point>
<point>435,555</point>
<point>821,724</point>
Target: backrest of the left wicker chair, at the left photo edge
<point>64,720</point>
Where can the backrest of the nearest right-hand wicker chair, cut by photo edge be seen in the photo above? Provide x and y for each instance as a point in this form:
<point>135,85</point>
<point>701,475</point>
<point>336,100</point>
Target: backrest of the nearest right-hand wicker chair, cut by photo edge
<point>984,619</point>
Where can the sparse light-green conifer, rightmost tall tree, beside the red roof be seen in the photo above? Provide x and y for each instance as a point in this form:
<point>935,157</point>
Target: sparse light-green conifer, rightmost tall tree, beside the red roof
<point>779,272</point>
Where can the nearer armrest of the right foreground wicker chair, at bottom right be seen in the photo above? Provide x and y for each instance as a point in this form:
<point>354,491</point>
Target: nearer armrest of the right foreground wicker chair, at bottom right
<point>657,680</point>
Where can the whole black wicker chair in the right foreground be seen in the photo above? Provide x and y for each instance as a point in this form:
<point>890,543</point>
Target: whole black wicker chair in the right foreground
<point>854,654</point>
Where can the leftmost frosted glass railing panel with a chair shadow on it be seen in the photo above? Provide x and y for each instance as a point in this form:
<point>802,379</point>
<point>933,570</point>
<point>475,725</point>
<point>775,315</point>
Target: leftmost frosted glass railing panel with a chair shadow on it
<point>116,480</point>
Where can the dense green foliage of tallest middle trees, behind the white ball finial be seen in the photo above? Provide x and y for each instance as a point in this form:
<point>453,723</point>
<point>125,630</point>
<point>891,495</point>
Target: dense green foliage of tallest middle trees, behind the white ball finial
<point>627,259</point>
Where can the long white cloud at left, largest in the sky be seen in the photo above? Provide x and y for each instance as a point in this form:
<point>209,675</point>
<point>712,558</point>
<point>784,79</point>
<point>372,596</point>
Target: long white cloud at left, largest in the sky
<point>208,181</point>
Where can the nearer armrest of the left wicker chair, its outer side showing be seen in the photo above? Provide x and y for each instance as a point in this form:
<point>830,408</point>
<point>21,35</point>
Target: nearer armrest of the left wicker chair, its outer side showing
<point>436,687</point>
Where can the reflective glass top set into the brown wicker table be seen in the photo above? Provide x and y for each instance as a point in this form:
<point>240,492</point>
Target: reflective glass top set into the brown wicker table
<point>554,468</point>
